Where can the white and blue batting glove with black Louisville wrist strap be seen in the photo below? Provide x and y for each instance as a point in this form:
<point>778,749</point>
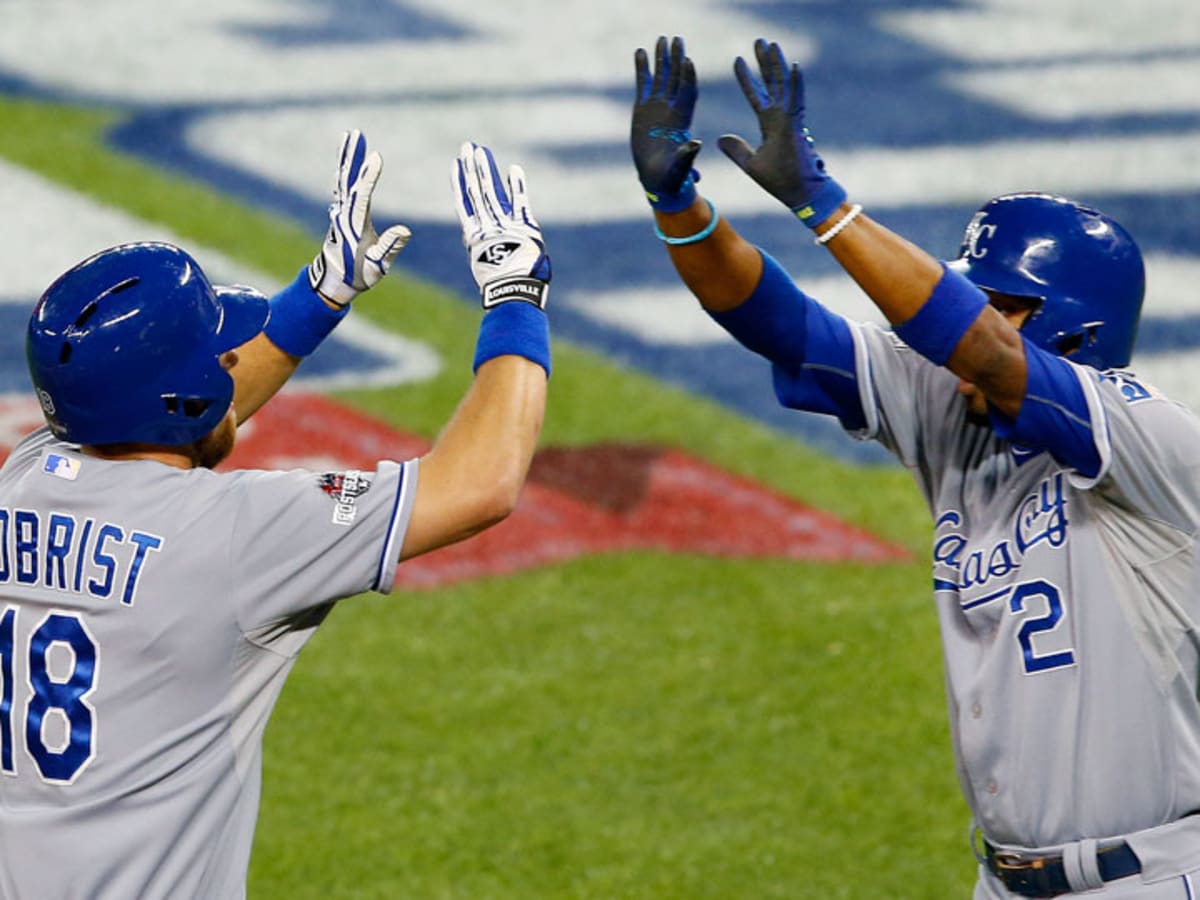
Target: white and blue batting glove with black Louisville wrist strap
<point>503,241</point>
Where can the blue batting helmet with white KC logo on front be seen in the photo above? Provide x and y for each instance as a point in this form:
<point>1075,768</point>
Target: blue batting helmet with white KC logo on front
<point>1084,268</point>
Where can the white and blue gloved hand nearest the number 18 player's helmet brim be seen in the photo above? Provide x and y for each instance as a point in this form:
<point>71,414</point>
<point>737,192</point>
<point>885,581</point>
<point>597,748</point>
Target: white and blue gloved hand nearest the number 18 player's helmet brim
<point>353,257</point>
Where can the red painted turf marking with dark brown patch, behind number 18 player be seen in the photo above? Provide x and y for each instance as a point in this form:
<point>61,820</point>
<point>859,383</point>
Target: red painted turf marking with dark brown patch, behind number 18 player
<point>579,502</point>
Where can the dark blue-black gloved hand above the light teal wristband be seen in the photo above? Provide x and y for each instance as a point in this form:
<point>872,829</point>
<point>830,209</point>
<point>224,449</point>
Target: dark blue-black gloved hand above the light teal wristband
<point>661,137</point>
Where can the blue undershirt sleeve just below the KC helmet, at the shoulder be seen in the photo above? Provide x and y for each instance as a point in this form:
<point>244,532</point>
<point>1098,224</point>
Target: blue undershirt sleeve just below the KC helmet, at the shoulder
<point>1054,415</point>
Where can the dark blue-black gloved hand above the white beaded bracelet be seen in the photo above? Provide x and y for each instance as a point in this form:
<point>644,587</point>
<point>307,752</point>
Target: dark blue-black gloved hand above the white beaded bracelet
<point>787,164</point>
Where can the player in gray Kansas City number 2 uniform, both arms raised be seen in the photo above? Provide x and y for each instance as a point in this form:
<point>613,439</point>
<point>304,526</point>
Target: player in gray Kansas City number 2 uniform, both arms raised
<point>1065,490</point>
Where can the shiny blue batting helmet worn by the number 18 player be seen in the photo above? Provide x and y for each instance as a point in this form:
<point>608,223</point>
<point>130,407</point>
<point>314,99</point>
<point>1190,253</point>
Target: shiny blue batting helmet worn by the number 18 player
<point>125,346</point>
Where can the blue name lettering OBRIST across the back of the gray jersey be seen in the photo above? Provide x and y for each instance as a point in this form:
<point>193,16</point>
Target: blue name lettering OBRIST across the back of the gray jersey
<point>59,553</point>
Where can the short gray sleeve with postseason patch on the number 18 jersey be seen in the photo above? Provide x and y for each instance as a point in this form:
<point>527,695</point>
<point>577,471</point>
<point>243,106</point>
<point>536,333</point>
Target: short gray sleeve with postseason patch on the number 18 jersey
<point>304,539</point>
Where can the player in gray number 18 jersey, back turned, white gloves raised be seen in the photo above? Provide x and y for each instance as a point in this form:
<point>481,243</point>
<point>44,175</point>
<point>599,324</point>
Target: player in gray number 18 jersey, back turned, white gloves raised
<point>152,609</point>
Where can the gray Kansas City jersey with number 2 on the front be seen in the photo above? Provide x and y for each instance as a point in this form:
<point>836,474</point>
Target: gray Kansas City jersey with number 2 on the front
<point>1069,604</point>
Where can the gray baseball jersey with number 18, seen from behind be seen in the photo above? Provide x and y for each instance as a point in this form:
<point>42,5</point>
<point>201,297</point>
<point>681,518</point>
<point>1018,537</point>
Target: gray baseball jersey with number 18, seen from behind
<point>148,620</point>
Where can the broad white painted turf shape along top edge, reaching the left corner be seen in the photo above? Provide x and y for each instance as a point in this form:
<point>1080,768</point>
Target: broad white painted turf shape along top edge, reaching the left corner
<point>208,52</point>
